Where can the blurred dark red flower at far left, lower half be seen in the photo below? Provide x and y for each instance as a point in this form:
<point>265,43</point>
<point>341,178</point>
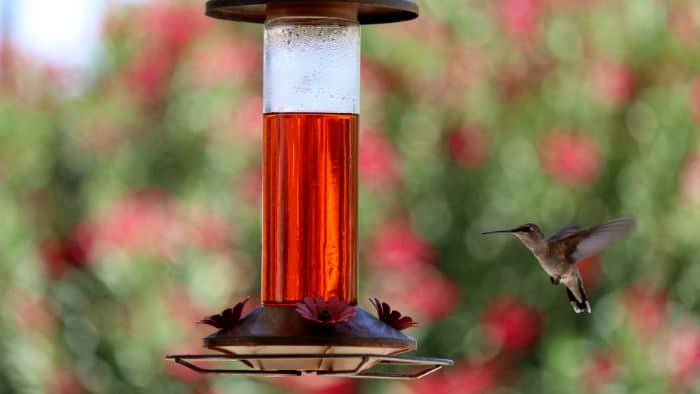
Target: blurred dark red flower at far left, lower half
<point>62,253</point>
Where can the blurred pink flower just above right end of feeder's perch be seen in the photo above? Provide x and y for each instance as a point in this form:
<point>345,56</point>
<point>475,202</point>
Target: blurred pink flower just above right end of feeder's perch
<point>419,289</point>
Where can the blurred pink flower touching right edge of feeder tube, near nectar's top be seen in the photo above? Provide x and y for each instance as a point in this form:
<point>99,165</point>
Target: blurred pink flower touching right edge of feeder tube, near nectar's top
<point>378,162</point>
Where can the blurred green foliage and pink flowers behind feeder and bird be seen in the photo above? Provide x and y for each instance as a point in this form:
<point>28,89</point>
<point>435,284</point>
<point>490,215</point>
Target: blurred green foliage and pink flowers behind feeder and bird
<point>130,187</point>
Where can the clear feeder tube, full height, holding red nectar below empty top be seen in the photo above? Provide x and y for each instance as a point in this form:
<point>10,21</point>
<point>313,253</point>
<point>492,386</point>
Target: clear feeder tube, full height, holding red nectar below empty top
<point>311,96</point>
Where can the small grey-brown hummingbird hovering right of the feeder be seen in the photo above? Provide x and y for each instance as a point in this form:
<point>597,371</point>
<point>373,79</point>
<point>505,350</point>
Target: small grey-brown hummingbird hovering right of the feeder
<point>559,253</point>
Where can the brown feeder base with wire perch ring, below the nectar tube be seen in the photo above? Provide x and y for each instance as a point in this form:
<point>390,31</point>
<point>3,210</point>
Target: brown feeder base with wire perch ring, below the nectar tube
<point>275,340</point>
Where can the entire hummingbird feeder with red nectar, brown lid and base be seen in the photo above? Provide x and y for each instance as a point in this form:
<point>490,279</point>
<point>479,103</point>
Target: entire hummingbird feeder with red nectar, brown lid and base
<point>308,321</point>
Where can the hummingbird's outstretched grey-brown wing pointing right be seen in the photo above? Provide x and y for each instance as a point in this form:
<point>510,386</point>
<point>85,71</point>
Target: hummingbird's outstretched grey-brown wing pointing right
<point>595,239</point>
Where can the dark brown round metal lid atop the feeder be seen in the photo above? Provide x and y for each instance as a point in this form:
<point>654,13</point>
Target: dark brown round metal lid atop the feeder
<point>368,11</point>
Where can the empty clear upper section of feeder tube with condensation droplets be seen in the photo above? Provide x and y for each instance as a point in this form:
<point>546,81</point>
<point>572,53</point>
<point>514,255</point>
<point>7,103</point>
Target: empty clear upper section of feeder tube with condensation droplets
<point>311,64</point>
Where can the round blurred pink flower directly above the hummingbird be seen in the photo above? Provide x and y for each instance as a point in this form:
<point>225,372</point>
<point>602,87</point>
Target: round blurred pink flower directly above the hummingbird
<point>571,159</point>
